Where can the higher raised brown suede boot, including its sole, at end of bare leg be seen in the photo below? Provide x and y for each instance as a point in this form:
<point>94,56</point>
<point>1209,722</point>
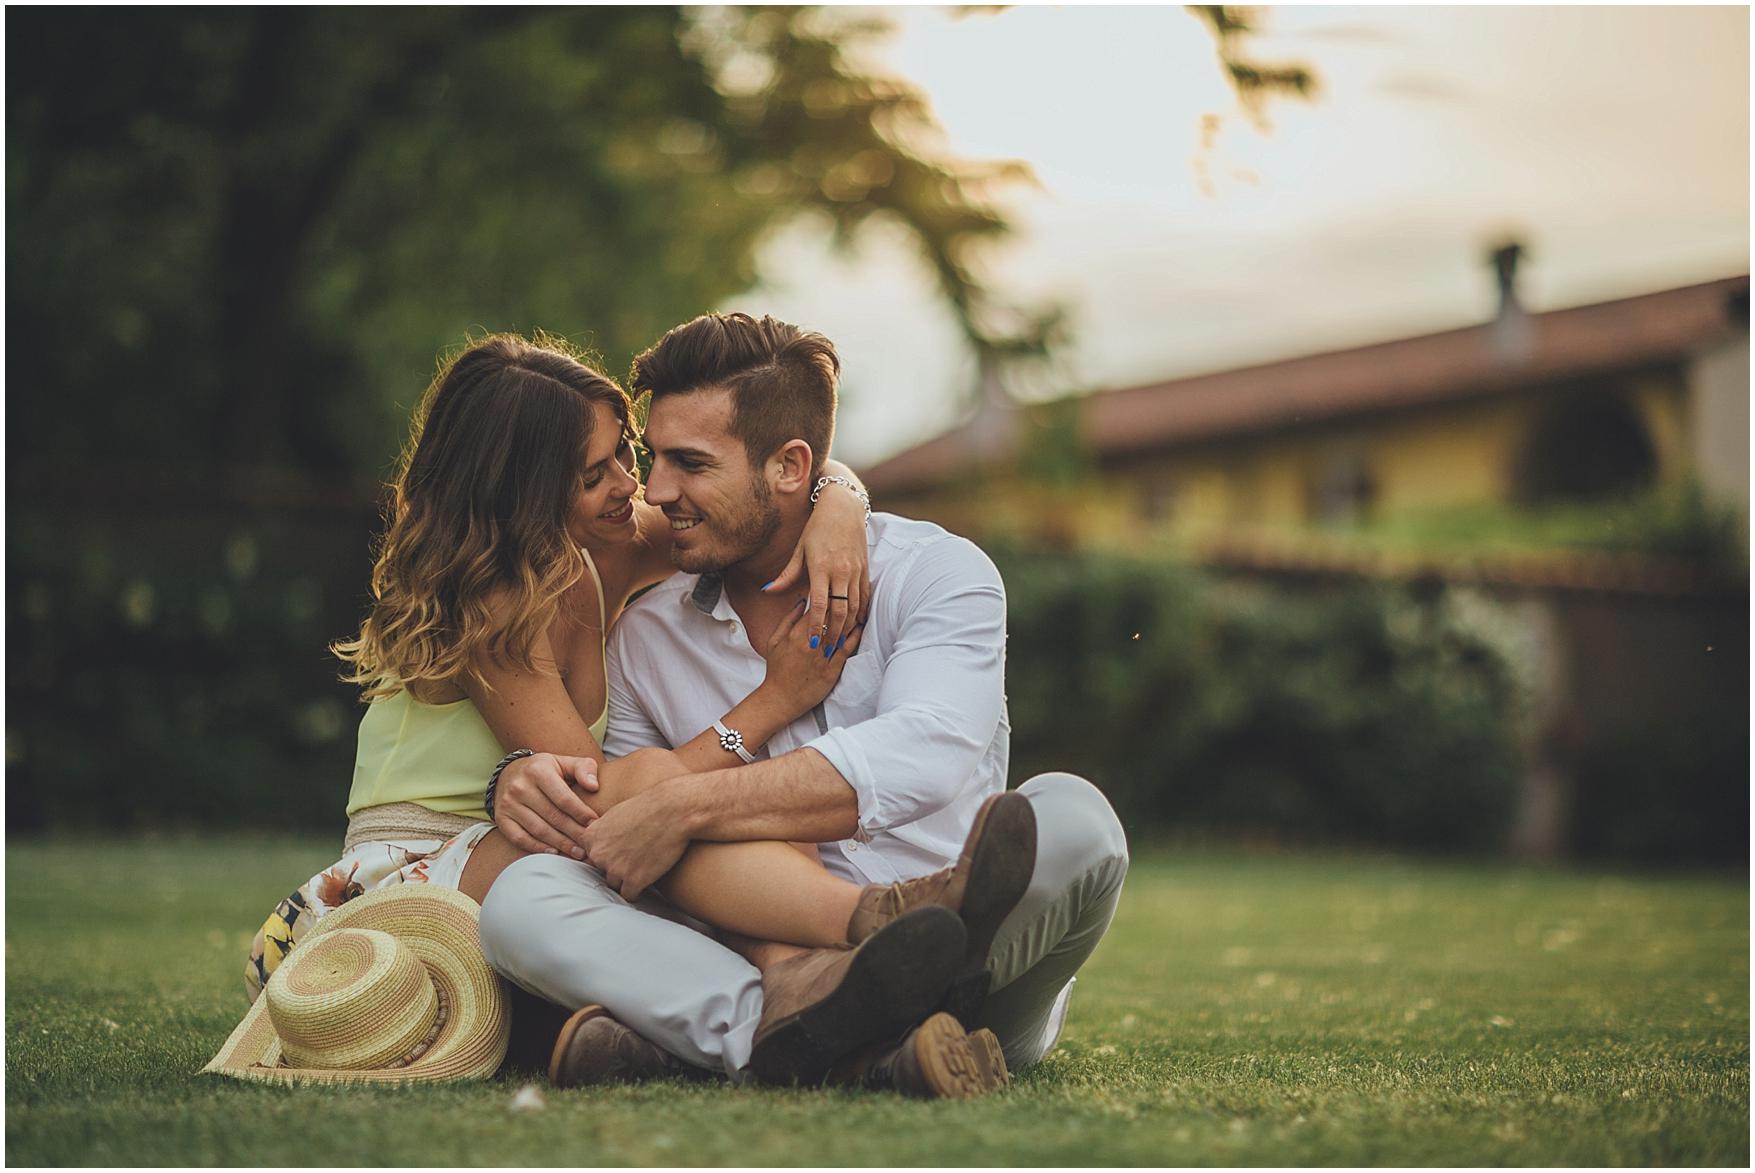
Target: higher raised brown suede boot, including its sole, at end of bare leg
<point>985,884</point>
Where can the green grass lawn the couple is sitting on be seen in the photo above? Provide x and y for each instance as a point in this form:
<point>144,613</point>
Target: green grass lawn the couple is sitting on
<point>1245,1011</point>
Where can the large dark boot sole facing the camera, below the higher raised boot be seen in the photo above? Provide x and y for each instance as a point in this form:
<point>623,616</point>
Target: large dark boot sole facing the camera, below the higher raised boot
<point>896,979</point>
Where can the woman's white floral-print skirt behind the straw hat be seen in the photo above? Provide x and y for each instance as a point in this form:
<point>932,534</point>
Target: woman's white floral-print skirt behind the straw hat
<point>362,868</point>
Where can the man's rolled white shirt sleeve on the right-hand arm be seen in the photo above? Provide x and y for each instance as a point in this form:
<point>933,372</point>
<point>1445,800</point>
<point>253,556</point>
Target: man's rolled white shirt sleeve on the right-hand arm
<point>942,696</point>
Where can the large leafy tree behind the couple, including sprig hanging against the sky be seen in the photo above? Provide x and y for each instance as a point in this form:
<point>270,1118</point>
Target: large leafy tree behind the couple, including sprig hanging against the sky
<point>238,234</point>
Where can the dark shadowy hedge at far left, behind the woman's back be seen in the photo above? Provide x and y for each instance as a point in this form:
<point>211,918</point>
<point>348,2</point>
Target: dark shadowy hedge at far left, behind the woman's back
<point>180,677</point>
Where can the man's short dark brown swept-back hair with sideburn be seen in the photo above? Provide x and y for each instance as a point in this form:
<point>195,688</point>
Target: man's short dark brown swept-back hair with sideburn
<point>782,378</point>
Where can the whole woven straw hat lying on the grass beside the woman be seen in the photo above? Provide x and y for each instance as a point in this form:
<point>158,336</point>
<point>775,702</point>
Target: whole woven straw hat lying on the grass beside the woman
<point>390,988</point>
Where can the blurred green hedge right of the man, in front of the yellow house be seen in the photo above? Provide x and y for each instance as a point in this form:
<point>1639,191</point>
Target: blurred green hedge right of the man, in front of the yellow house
<point>1363,716</point>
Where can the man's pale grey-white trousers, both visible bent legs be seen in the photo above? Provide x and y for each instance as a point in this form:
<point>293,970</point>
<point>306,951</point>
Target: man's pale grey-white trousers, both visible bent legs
<point>557,930</point>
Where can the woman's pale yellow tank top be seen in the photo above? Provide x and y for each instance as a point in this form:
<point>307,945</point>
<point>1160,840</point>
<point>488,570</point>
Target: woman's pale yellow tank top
<point>438,756</point>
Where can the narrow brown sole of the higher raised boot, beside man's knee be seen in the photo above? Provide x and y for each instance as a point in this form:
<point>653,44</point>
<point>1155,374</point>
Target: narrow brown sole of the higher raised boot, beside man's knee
<point>999,875</point>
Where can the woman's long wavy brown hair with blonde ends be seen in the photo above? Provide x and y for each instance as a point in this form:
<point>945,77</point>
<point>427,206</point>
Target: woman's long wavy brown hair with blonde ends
<point>476,554</point>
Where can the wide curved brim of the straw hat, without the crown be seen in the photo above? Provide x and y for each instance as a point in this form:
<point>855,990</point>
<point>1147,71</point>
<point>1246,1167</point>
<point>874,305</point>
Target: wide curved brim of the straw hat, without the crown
<point>443,930</point>
